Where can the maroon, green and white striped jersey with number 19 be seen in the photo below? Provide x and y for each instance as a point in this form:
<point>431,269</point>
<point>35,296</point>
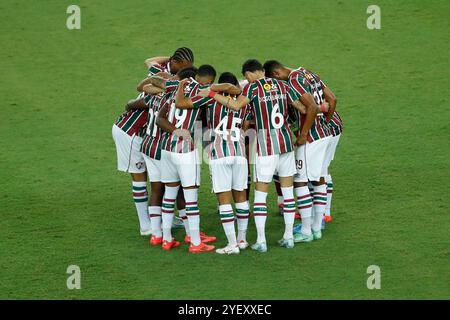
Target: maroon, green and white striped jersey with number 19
<point>182,118</point>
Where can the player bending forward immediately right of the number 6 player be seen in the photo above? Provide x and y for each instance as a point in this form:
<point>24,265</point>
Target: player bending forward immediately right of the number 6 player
<point>310,157</point>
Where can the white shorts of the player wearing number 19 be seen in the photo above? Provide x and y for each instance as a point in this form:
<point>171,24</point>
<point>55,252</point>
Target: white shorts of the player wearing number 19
<point>180,167</point>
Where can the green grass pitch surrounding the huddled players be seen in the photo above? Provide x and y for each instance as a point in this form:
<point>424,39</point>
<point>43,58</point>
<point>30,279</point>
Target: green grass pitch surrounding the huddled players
<point>62,201</point>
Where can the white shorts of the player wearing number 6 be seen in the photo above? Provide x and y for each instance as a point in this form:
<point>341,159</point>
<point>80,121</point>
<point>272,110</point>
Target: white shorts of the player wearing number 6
<point>266,167</point>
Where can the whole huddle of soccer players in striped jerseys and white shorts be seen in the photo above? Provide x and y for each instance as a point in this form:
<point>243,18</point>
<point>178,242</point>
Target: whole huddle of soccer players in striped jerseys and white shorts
<point>288,114</point>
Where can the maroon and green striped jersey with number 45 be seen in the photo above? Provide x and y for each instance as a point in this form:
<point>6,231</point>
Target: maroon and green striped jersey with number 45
<point>224,128</point>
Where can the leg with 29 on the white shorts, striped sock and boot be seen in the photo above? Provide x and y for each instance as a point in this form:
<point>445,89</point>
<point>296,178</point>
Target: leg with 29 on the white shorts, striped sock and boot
<point>304,198</point>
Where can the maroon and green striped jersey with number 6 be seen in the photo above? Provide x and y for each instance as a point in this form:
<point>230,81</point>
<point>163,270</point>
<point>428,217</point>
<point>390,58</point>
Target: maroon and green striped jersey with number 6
<point>269,103</point>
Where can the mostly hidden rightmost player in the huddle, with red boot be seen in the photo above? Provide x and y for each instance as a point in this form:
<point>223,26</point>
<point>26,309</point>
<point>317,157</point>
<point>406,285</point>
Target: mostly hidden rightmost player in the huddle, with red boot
<point>336,128</point>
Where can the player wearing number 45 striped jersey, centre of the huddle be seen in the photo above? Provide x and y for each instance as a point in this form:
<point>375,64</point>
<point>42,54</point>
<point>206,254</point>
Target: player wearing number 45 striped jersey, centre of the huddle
<point>228,163</point>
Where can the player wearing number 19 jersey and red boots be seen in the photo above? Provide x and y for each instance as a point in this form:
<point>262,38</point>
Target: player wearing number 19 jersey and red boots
<point>180,164</point>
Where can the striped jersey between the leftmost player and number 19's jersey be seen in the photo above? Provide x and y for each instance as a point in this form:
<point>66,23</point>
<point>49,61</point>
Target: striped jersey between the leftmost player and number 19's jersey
<point>151,144</point>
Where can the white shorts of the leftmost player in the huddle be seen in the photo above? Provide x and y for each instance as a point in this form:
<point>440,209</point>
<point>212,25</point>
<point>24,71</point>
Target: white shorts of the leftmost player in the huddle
<point>129,156</point>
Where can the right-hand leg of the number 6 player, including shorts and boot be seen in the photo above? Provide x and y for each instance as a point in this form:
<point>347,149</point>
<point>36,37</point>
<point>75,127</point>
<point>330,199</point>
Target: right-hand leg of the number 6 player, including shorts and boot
<point>286,170</point>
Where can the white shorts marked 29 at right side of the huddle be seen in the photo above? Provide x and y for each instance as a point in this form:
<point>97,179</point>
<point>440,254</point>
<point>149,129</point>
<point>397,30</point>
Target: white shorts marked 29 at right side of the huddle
<point>310,160</point>
